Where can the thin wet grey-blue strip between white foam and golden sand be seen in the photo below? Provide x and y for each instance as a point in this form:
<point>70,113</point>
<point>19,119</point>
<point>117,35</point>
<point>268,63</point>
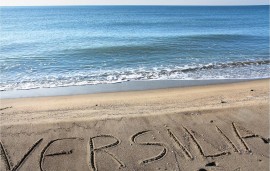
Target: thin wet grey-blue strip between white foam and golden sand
<point>141,85</point>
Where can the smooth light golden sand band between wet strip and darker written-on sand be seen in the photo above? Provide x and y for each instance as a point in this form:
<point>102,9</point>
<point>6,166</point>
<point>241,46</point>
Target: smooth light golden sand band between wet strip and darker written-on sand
<point>189,98</point>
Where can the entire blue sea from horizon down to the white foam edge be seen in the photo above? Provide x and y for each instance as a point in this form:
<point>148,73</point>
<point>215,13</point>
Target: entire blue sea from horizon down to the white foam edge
<point>80,45</point>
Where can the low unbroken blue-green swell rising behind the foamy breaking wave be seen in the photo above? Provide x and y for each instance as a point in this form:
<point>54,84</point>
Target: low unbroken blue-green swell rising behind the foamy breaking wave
<point>164,44</point>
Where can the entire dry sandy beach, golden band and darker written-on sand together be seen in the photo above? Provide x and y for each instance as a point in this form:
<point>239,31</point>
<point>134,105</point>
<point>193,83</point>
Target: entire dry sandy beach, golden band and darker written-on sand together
<point>215,127</point>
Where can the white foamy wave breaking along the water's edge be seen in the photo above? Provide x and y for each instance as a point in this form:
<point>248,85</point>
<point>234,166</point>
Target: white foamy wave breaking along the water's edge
<point>230,70</point>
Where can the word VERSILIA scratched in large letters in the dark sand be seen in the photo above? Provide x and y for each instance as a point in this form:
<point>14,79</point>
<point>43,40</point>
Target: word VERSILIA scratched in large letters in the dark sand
<point>95,151</point>
